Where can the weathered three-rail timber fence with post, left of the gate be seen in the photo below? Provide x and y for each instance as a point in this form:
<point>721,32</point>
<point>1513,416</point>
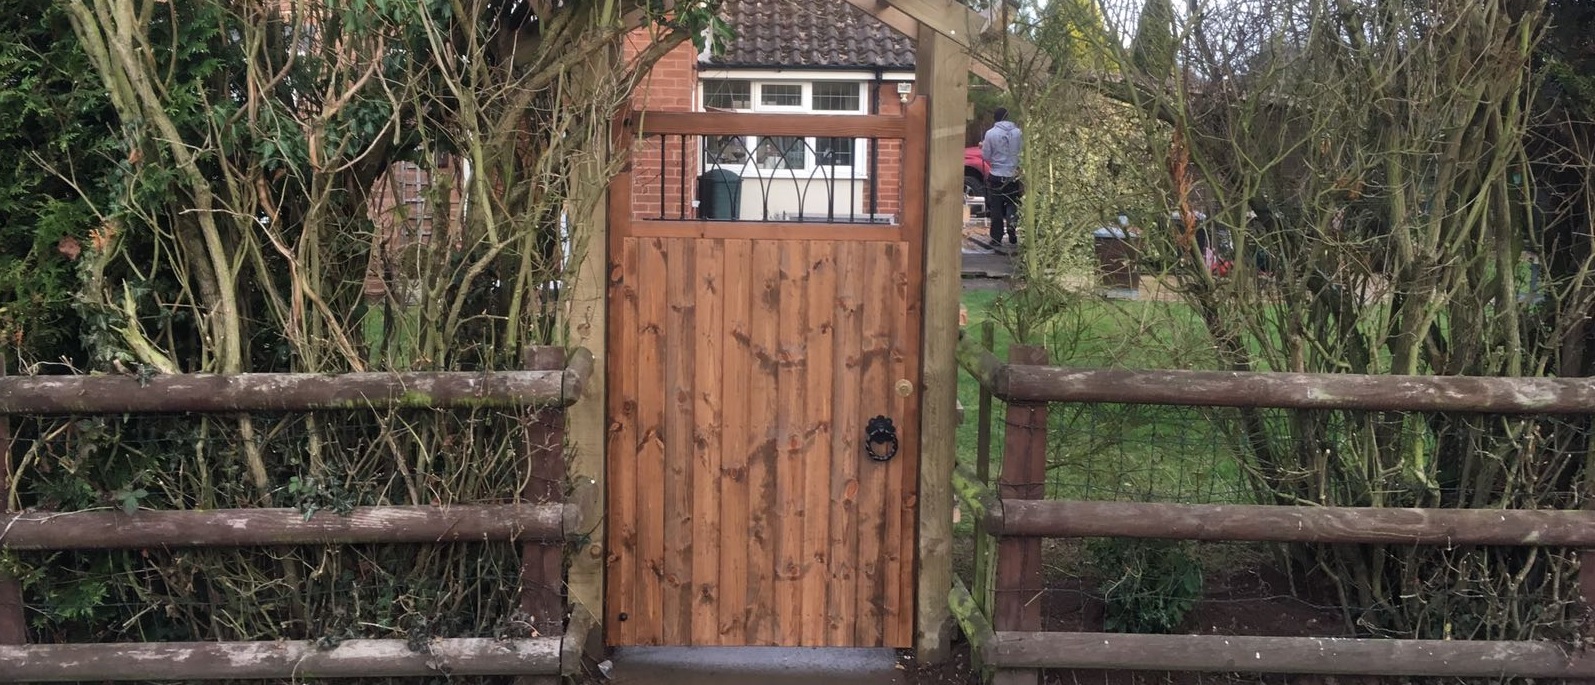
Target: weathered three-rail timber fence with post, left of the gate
<point>542,523</point>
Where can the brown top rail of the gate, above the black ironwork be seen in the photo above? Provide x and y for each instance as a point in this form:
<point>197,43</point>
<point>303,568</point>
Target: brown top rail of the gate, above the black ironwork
<point>736,124</point>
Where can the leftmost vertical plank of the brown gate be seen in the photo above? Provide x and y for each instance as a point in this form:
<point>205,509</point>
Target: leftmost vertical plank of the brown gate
<point>624,333</point>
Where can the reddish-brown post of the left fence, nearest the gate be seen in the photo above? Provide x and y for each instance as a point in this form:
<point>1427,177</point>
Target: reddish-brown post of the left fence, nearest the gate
<point>543,563</point>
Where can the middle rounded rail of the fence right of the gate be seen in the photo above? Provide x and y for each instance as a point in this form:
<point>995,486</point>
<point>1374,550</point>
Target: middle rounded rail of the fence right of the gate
<point>1298,525</point>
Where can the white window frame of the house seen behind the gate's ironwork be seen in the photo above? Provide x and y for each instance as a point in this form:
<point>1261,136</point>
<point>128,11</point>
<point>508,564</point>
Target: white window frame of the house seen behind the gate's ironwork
<point>813,167</point>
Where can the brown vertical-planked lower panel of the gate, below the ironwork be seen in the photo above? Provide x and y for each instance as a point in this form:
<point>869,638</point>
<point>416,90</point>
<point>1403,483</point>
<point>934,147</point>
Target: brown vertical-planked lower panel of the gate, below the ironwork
<point>813,342</point>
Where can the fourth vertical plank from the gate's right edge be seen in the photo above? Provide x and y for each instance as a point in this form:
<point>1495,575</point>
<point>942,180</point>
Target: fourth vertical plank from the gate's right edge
<point>817,457</point>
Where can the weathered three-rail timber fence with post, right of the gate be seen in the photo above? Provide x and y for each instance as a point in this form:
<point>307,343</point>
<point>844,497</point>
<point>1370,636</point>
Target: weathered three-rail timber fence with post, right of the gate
<point>1001,612</point>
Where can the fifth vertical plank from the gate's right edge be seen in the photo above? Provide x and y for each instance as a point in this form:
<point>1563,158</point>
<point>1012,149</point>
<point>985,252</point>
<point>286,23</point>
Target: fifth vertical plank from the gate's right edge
<point>792,426</point>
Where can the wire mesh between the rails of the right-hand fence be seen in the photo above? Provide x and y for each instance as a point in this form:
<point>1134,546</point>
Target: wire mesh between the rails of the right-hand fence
<point>1218,456</point>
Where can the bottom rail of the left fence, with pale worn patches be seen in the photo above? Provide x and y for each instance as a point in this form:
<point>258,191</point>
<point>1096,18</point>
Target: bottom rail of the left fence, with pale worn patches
<point>280,660</point>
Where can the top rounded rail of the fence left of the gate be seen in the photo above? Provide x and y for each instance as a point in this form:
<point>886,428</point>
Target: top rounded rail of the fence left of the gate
<point>294,392</point>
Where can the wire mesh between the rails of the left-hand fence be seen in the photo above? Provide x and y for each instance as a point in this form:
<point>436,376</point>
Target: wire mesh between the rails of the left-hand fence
<point>321,464</point>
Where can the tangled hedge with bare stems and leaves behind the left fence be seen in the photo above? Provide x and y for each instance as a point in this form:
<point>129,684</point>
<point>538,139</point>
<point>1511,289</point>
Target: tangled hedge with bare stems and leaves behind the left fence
<point>227,215</point>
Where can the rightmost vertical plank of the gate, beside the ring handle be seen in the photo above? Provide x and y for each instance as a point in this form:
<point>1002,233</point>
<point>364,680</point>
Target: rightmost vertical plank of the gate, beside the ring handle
<point>905,360</point>
